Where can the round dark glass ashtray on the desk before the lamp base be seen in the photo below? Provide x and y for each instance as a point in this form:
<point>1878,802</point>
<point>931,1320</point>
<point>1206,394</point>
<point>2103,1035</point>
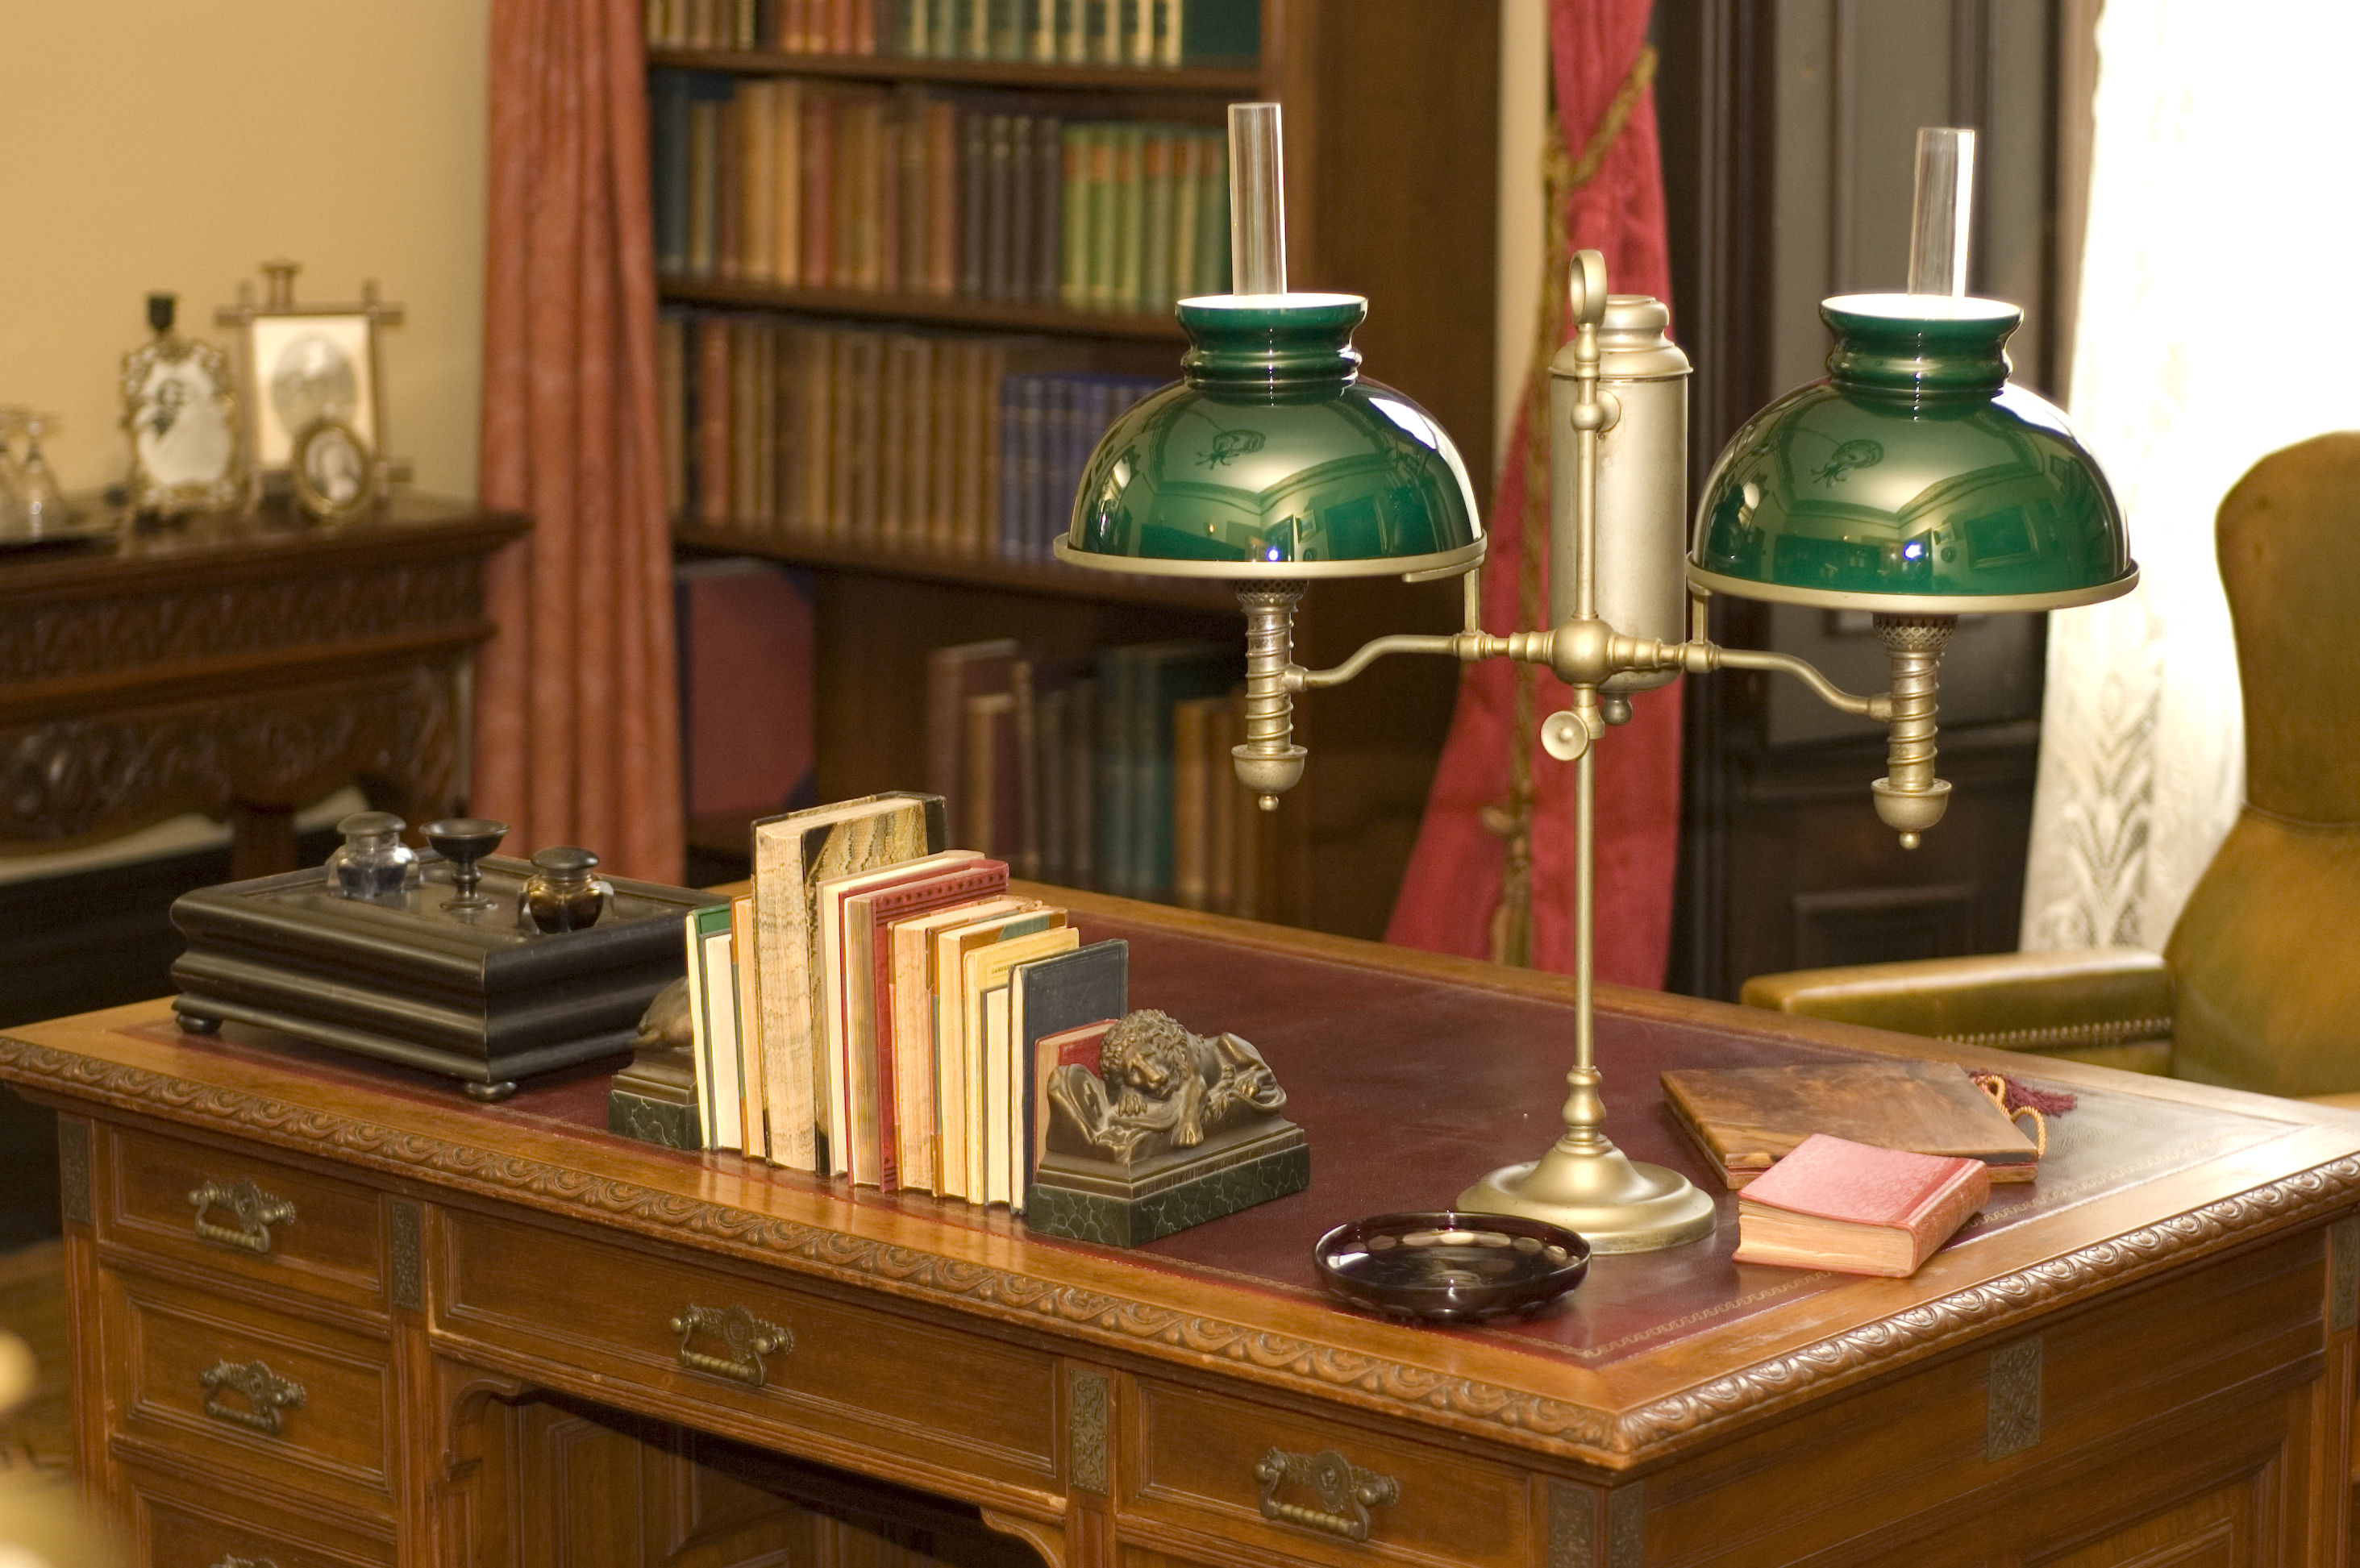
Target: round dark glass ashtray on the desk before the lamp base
<point>1450,1267</point>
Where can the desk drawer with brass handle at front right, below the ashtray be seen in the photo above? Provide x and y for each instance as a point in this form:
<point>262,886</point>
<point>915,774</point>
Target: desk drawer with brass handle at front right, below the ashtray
<point>1294,1487</point>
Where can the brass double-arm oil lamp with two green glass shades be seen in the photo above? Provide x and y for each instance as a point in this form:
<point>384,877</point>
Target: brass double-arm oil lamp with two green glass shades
<point>1915,485</point>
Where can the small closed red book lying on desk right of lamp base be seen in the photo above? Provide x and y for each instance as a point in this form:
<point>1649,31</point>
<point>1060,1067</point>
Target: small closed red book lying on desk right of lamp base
<point>1856,1208</point>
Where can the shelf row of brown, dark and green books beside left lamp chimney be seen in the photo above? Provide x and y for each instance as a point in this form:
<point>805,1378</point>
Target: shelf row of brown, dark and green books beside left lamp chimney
<point>822,185</point>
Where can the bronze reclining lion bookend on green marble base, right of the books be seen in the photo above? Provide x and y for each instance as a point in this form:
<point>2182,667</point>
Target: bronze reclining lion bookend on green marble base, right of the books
<point>1172,1131</point>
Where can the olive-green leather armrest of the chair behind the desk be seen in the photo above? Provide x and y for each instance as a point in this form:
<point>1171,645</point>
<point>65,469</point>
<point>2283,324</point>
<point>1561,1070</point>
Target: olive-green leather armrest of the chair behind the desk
<point>2052,1003</point>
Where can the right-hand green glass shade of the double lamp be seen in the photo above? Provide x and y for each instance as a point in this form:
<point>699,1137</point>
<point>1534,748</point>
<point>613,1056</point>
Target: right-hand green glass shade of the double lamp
<point>1913,480</point>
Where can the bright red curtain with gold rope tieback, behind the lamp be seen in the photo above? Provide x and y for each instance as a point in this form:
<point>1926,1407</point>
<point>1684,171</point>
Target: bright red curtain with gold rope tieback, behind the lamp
<point>1455,874</point>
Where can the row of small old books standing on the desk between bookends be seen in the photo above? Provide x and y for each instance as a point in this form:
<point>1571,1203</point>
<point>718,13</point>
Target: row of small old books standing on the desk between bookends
<point>886,1010</point>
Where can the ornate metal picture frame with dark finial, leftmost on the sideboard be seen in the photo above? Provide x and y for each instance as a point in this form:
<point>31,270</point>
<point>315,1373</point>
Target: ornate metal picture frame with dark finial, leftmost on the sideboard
<point>183,414</point>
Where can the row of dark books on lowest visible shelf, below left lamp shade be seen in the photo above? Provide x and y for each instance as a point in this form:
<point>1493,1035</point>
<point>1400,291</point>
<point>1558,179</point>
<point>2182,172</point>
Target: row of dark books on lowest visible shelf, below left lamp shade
<point>1103,772</point>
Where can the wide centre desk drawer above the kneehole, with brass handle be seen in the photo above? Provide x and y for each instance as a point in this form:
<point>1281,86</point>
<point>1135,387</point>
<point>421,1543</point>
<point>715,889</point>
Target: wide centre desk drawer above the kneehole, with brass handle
<point>820,1373</point>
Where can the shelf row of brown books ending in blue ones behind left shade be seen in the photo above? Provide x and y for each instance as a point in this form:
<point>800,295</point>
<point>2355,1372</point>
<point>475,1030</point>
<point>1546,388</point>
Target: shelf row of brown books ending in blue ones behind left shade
<point>914,442</point>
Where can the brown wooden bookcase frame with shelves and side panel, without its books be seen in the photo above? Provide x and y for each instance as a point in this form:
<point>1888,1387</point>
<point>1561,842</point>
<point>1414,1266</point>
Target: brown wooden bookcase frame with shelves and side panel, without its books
<point>1391,185</point>
